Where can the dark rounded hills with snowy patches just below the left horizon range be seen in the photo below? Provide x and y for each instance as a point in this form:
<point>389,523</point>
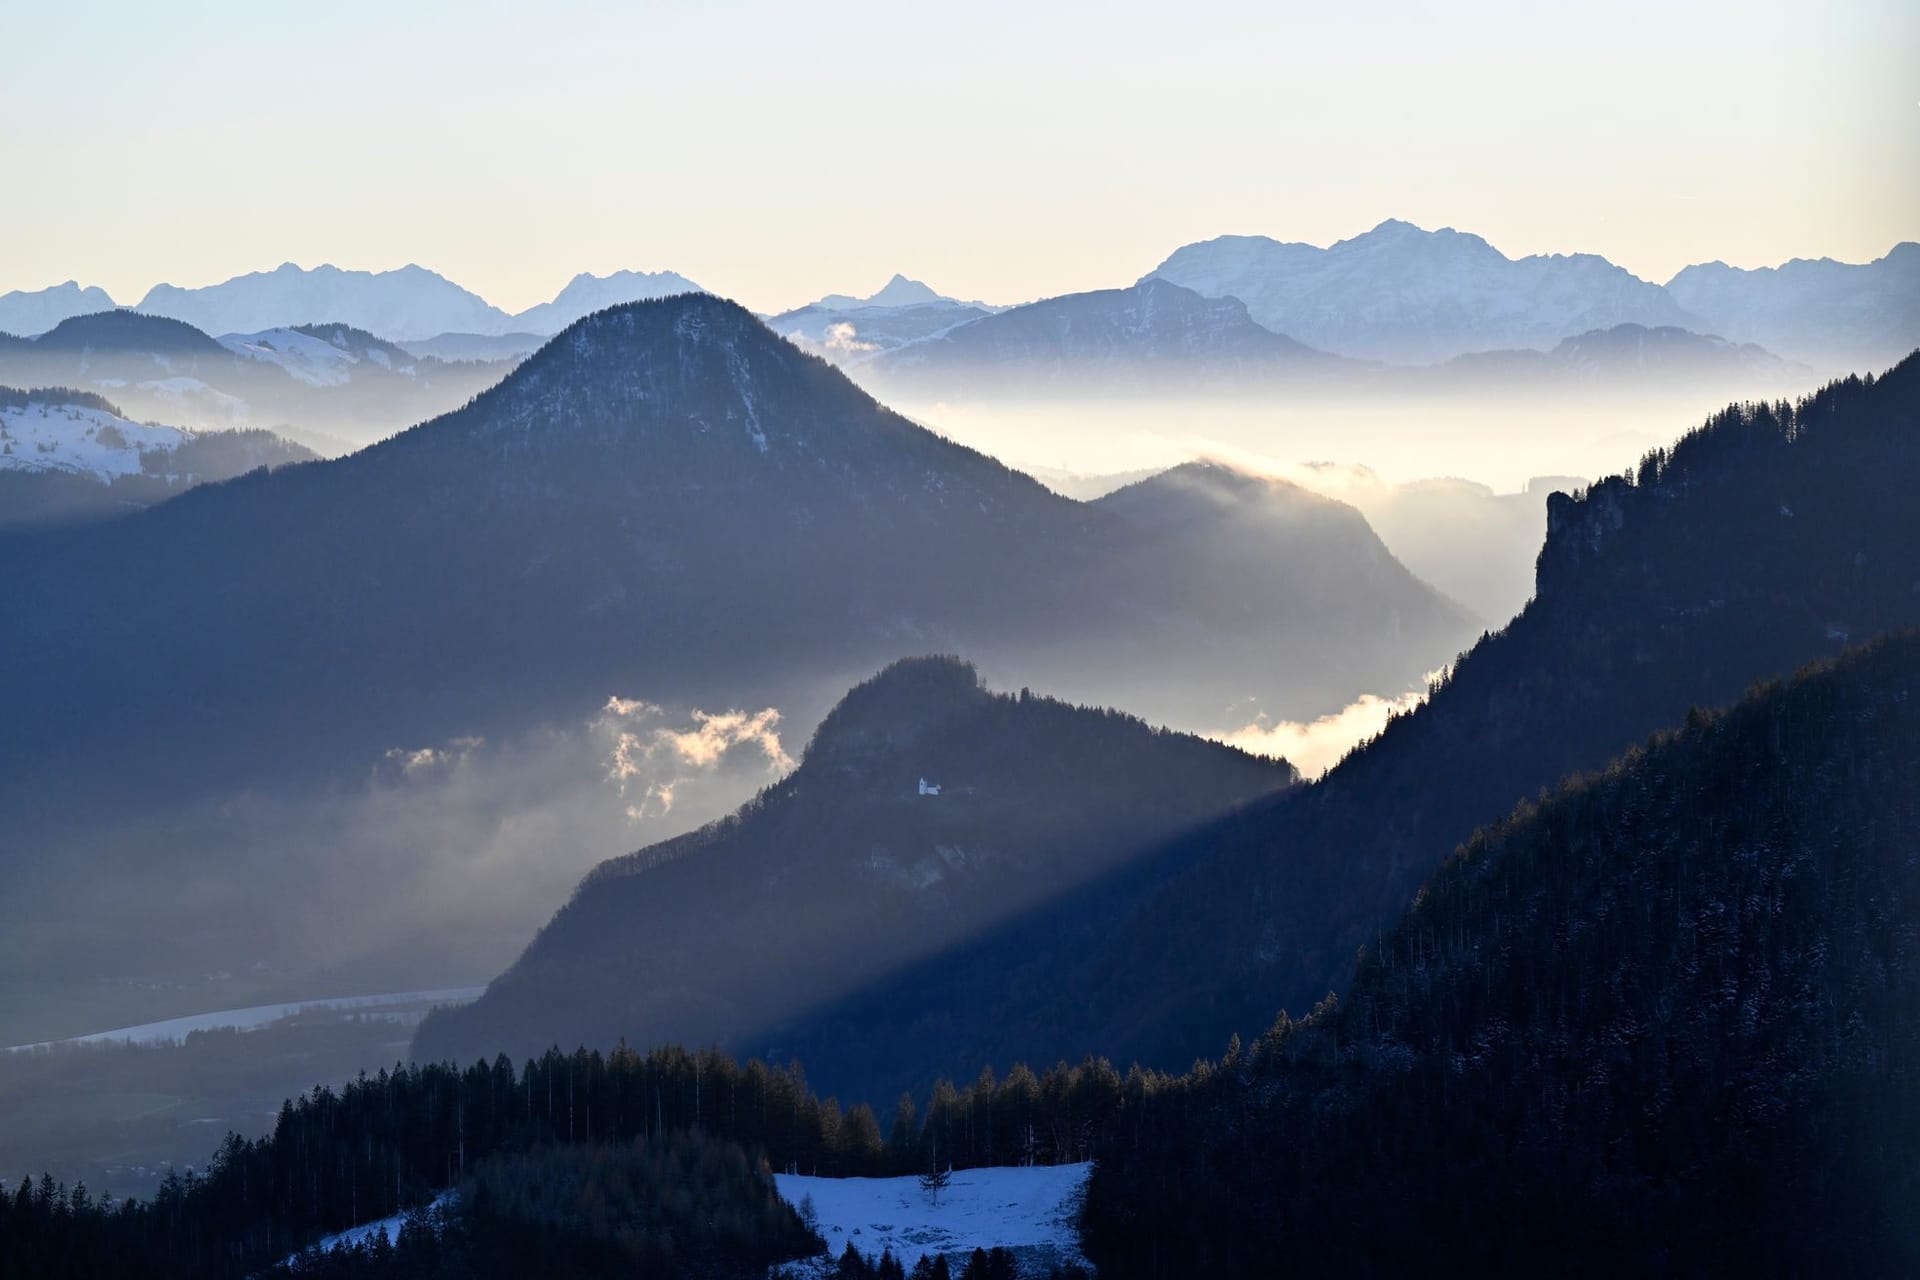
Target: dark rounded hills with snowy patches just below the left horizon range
<point>329,387</point>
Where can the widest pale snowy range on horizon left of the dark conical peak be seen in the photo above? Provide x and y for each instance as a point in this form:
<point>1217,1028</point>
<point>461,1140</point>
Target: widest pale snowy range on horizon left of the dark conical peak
<point>410,302</point>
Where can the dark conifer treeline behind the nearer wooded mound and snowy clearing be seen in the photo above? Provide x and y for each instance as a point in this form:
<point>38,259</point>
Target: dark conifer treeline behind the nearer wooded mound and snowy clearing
<point>389,1143</point>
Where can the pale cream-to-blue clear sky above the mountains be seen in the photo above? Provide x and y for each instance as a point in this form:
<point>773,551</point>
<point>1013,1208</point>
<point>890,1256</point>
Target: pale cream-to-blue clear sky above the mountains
<point>777,153</point>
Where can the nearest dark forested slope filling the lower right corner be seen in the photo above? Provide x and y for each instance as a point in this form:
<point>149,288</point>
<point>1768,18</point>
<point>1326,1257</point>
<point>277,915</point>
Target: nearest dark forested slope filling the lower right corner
<point>1668,1020</point>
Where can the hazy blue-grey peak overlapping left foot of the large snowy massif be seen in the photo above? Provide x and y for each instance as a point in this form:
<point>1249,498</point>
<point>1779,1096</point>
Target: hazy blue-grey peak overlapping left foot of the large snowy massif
<point>1149,335</point>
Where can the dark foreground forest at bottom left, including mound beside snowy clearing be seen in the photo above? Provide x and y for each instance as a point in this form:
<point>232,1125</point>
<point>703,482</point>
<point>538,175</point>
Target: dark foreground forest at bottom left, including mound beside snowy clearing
<point>623,1164</point>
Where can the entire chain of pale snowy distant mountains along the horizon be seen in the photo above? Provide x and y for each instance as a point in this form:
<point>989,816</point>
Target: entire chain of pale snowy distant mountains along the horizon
<point>1397,295</point>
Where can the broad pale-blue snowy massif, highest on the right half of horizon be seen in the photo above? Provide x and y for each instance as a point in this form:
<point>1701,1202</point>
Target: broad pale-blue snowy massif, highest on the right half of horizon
<point>1414,296</point>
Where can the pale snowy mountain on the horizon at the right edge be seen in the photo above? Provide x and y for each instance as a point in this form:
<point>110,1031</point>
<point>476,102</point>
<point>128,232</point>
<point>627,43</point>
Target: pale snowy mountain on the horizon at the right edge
<point>1836,316</point>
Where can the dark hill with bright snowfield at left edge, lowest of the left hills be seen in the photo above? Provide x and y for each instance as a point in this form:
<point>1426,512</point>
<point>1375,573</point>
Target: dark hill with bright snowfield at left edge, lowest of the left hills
<point>72,456</point>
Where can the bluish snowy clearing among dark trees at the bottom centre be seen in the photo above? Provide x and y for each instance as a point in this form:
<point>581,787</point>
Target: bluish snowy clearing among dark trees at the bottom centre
<point>1024,1210</point>
